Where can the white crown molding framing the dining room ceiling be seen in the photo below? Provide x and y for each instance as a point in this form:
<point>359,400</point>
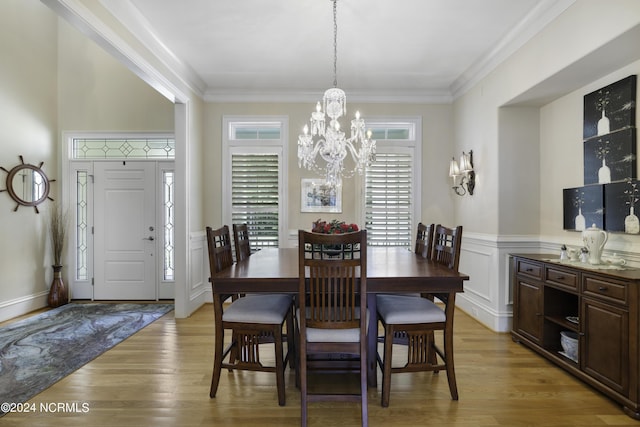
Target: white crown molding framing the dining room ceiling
<point>130,17</point>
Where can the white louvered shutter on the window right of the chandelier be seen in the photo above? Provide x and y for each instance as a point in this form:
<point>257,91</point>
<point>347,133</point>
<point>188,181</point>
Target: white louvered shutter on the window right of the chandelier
<point>388,207</point>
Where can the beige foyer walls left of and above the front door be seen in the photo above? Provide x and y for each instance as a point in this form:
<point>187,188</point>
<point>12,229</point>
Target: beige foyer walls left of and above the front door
<point>54,79</point>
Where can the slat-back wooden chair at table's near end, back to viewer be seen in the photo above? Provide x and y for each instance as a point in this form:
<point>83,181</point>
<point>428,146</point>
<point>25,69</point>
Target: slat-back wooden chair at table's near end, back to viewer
<point>332,312</point>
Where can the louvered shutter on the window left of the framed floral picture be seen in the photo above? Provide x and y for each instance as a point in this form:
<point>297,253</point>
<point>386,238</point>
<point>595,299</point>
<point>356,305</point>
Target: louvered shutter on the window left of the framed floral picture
<point>254,196</point>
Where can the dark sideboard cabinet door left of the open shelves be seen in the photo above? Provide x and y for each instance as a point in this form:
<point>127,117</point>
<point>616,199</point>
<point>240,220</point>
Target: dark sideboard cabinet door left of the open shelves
<point>528,317</point>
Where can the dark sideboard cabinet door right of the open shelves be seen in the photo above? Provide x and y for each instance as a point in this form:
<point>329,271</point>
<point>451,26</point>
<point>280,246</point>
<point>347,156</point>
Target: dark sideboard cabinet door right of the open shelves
<point>605,345</point>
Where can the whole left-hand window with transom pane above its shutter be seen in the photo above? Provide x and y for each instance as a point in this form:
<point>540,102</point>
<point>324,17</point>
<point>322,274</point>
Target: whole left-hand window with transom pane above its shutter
<point>253,177</point>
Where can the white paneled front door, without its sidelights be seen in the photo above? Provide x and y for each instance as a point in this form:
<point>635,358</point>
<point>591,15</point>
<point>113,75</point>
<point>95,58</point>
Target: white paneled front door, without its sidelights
<point>125,231</point>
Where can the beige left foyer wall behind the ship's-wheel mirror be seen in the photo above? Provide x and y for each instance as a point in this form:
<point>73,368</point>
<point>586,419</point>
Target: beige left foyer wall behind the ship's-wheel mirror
<point>27,127</point>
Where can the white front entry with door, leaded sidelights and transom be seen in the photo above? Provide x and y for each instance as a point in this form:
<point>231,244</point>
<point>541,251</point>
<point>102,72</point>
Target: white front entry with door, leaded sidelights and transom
<point>121,208</point>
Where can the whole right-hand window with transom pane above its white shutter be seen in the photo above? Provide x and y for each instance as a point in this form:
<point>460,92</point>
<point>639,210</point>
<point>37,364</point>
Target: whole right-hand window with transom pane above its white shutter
<point>392,184</point>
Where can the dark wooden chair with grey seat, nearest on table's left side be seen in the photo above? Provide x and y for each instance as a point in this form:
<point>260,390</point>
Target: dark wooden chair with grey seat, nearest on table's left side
<point>253,320</point>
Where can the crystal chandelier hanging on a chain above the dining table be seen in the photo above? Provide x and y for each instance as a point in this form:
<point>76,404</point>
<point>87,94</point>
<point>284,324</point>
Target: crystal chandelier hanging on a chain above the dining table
<point>327,140</point>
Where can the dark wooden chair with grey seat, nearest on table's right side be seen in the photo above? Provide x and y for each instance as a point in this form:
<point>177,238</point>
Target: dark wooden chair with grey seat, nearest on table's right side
<point>419,318</point>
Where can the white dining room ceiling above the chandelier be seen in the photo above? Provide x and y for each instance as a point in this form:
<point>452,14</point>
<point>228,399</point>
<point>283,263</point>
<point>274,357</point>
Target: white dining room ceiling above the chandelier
<point>278,50</point>
